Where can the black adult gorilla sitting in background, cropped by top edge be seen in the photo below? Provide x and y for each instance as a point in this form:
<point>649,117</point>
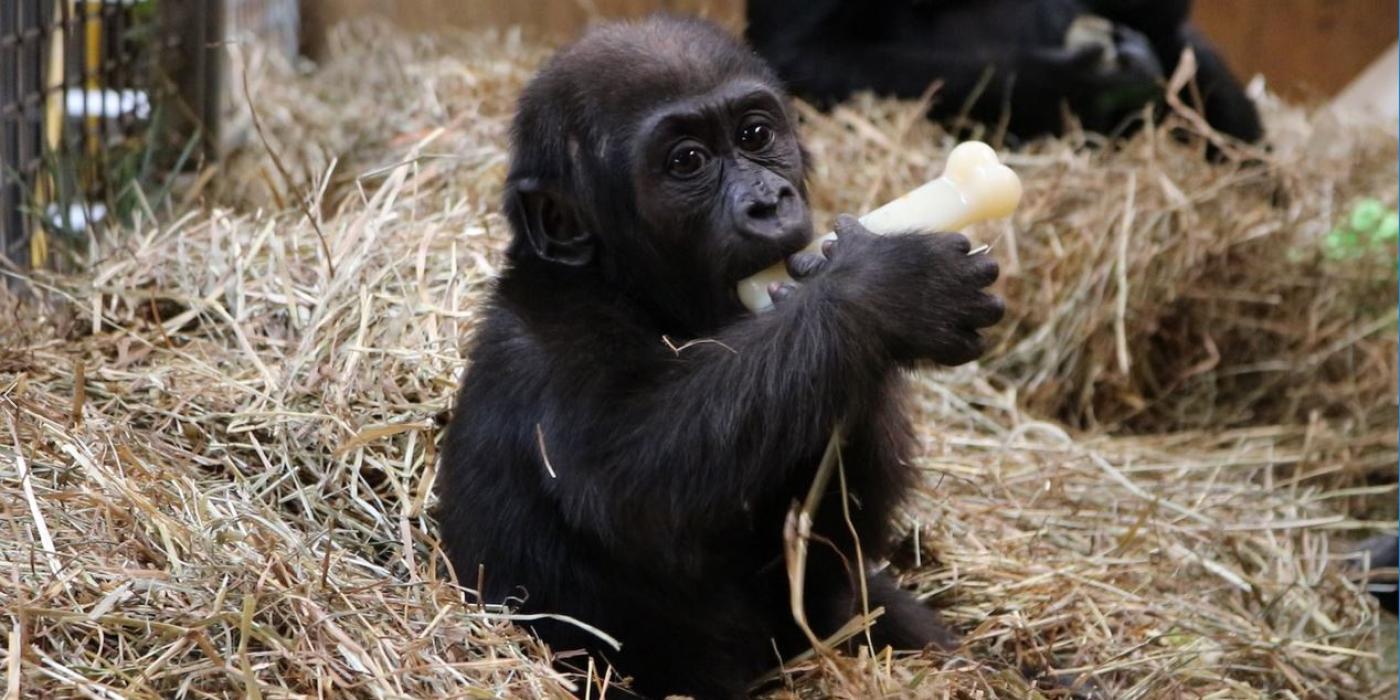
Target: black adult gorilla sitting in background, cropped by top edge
<point>1014,61</point>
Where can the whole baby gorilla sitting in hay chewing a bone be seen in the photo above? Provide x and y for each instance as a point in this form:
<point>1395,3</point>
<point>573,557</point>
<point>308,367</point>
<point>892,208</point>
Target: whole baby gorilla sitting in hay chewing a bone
<point>629,440</point>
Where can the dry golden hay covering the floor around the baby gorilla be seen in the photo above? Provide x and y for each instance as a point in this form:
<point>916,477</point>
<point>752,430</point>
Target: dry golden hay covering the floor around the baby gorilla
<point>218,443</point>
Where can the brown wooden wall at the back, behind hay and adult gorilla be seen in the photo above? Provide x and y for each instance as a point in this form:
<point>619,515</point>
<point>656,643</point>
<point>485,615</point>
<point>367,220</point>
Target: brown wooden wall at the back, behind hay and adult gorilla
<point>1305,48</point>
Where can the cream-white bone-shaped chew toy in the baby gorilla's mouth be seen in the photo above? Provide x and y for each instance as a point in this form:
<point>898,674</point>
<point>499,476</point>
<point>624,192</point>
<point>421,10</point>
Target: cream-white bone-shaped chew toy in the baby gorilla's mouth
<point>975,187</point>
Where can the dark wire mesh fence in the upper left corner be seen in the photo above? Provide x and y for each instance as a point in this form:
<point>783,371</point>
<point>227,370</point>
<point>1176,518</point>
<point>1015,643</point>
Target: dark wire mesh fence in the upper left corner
<point>104,103</point>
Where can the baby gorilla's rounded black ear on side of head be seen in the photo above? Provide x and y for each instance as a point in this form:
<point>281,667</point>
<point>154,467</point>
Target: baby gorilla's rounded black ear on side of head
<point>551,223</point>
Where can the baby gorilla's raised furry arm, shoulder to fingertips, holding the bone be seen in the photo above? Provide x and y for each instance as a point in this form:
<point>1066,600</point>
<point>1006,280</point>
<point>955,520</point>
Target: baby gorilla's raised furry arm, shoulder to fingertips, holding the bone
<point>657,450</point>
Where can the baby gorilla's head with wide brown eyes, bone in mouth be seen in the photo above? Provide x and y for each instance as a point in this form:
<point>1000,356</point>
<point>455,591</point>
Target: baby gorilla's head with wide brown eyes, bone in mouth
<point>663,156</point>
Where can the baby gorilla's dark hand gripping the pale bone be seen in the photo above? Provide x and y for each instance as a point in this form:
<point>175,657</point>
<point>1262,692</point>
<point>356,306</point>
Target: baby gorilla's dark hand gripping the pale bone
<point>919,293</point>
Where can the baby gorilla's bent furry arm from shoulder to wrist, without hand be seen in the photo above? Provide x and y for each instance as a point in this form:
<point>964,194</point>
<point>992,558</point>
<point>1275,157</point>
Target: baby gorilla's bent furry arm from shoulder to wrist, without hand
<point>660,450</point>
